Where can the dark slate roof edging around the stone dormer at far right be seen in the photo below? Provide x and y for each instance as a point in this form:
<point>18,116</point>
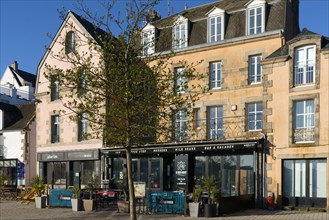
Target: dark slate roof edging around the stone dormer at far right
<point>284,50</point>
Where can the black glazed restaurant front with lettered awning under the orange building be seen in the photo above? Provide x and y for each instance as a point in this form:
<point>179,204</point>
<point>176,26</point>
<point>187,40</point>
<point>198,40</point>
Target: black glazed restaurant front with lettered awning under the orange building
<point>237,166</point>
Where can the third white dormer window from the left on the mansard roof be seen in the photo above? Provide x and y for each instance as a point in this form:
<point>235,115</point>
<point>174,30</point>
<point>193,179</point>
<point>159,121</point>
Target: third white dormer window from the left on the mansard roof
<point>216,25</point>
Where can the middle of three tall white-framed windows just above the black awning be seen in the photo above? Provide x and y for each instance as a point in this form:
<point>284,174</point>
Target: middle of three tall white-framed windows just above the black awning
<point>215,117</point>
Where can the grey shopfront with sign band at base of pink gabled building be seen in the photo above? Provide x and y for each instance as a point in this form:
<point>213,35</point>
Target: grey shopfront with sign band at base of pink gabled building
<point>68,168</point>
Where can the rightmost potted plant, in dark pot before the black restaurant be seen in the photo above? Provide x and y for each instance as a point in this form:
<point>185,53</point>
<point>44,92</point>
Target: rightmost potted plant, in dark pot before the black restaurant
<point>210,186</point>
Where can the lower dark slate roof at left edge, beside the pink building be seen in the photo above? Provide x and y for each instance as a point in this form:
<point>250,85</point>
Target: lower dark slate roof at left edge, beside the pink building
<point>20,115</point>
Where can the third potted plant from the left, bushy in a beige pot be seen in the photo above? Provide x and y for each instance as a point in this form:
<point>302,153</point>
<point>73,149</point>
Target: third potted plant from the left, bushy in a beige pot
<point>92,183</point>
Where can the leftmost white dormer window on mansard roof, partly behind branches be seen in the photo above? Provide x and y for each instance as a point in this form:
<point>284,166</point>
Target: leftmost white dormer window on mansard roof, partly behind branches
<point>148,38</point>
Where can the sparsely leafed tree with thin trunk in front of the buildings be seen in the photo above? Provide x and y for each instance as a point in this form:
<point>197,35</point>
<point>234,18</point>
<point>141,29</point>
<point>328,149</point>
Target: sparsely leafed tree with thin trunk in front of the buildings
<point>128,98</point>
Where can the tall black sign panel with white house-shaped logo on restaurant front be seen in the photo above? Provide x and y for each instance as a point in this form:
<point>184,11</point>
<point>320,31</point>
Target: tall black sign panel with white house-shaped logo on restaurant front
<point>181,171</point>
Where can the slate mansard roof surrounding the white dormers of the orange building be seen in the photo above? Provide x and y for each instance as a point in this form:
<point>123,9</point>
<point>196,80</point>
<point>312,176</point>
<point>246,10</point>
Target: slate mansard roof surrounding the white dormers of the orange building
<point>235,21</point>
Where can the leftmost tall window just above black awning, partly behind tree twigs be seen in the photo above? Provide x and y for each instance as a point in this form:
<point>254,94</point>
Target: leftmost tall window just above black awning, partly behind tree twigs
<point>180,125</point>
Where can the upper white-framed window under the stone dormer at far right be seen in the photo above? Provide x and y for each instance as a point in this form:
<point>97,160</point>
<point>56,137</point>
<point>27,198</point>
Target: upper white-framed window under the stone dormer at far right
<point>304,72</point>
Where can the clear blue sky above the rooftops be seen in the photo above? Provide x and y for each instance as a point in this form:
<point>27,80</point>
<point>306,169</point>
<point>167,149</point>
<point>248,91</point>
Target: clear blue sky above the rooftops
<point>24,25</point>
